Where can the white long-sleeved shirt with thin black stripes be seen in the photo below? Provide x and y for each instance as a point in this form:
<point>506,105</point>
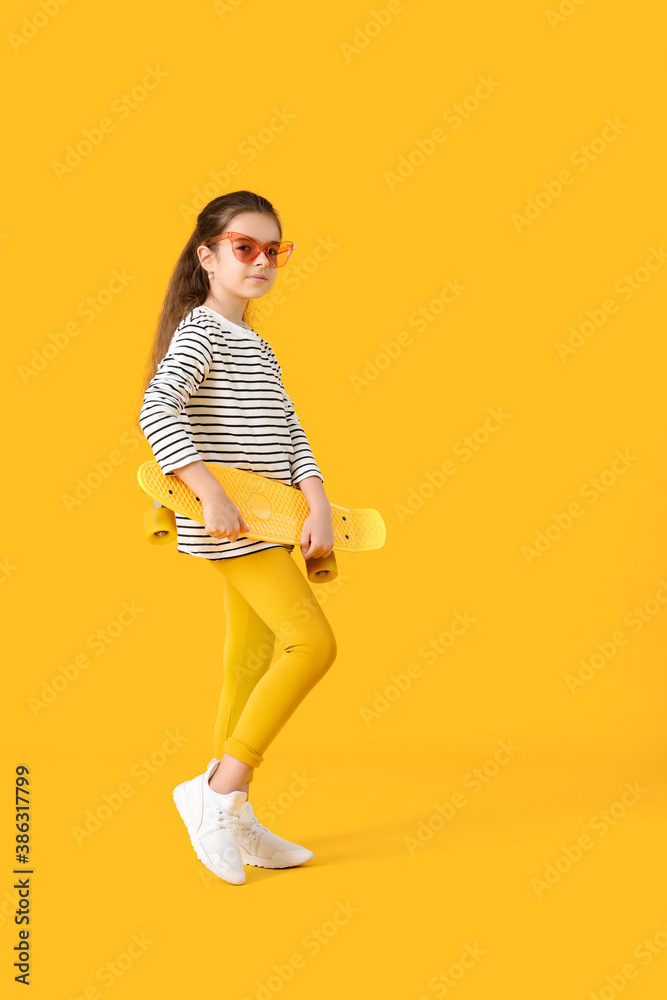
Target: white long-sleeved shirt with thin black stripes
<point>218,396</point>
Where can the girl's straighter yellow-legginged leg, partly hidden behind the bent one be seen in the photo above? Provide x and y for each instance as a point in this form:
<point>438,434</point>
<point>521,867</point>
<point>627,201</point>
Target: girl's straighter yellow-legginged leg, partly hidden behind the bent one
<point>247,653</point>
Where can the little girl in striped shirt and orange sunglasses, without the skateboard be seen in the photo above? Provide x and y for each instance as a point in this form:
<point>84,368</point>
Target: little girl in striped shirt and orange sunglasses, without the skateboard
<point>214,393</point>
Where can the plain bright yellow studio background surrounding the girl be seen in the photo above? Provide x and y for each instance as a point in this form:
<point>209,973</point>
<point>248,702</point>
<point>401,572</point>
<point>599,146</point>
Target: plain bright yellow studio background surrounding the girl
<point>363,86</point>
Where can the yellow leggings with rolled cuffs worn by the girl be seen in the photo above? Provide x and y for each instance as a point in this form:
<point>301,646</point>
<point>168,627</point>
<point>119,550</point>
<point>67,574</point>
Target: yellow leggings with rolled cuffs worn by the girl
<point>266,597</point>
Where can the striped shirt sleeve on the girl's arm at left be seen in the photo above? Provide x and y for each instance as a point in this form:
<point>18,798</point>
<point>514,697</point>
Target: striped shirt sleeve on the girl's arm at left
<point>178,377</point>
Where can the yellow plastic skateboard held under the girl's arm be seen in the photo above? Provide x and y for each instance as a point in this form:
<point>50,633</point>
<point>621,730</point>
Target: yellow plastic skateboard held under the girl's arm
<point>272,510</point>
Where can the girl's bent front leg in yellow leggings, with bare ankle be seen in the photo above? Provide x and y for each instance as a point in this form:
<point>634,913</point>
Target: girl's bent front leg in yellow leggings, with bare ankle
<point>281,597</point>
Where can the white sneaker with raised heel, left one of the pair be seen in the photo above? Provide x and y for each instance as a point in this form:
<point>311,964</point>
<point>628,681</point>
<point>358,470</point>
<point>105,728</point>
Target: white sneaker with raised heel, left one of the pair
<point>212,820</point>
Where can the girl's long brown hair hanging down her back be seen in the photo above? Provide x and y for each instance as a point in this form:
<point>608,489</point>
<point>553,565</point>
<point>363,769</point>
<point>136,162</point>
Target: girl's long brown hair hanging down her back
<point>188,286</point>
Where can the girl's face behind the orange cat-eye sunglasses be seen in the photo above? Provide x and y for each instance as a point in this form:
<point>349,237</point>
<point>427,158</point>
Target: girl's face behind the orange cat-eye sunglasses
<point>231,276</point>
